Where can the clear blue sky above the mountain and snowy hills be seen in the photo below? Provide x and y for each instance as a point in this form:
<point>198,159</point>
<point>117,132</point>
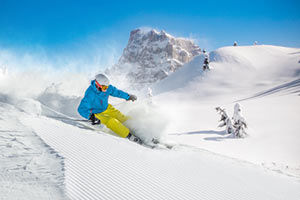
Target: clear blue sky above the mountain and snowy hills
<point>61,25</point>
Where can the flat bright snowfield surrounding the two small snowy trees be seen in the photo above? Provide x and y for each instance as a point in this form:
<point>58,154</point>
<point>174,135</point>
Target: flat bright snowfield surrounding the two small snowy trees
<point>273,130</point>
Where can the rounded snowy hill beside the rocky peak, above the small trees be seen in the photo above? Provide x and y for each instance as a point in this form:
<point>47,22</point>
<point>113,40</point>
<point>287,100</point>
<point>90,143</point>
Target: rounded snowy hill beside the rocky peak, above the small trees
<point>235,71</point>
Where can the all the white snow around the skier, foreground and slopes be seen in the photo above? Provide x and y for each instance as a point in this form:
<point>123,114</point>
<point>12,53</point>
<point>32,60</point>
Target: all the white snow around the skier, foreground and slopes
<point>44,156</point>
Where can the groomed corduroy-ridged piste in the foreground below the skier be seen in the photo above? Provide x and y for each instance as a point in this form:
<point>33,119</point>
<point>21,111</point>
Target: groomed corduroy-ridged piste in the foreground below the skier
<point>97,170</point>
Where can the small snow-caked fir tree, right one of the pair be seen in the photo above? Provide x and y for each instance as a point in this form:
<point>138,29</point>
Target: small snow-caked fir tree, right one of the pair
<point>239,122</point>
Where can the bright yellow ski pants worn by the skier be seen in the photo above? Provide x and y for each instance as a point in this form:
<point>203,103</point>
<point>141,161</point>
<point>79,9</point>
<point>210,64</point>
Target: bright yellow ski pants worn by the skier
<point>113,119</point>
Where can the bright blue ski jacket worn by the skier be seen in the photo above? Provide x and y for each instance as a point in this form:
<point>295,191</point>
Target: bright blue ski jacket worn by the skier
<point>95,101</point>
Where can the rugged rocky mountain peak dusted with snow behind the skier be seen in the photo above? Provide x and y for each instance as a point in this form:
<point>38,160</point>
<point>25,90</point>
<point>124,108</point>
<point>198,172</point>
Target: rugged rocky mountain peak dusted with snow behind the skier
<point>151,56</point>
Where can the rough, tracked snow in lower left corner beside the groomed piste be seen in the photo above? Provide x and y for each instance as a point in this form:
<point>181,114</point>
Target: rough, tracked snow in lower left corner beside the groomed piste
<point>29,169</point>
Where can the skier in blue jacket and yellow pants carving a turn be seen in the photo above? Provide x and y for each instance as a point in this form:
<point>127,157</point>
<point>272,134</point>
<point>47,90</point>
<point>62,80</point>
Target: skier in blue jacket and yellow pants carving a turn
<point>95,107</point>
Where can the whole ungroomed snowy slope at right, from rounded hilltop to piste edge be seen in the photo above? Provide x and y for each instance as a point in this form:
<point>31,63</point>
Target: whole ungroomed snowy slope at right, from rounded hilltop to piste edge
<point>266,78</point>
